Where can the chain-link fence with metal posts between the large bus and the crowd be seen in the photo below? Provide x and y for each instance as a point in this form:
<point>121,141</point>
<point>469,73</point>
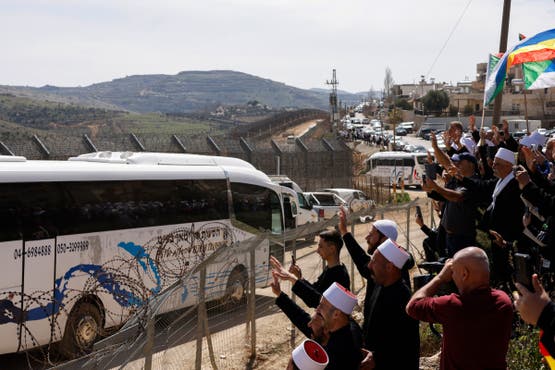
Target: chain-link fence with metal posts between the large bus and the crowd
<point>245,329</point>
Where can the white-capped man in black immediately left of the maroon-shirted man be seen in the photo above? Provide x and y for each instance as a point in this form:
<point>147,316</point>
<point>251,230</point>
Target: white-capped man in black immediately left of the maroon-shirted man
<point>391,336</point>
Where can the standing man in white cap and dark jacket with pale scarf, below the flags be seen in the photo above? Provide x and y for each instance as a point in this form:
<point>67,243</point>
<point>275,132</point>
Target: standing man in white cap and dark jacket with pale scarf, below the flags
<point>504,212</point>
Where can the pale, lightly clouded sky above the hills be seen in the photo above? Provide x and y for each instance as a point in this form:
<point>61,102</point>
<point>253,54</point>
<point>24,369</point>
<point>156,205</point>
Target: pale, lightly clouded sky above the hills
<point>297,42</point>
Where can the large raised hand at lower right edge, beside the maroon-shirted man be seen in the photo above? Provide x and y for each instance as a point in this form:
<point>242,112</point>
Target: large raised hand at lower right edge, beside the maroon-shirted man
<point>531,304</point>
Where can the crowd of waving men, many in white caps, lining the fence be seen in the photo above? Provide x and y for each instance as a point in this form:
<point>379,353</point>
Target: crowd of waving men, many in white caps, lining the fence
<point>486,180</point>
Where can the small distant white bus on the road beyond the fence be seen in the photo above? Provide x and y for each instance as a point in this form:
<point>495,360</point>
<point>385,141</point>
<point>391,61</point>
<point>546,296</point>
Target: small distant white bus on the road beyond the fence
<point>391,167</point>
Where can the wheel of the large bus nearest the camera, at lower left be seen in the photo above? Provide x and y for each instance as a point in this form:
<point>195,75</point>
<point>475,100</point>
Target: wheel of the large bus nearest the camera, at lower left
<point>83,328</point>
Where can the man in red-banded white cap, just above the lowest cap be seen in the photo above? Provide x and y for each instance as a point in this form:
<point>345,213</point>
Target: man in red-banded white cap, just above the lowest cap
<point>335,308</point>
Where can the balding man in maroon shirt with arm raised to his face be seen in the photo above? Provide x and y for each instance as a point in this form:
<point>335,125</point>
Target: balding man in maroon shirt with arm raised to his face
<point>476,322</point>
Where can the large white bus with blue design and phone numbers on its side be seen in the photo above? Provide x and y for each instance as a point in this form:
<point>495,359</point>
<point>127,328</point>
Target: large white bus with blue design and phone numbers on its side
<point>84,242</point>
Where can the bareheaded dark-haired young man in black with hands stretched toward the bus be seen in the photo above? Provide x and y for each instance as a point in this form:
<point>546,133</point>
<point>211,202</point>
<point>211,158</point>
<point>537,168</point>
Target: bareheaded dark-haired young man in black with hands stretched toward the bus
<point>329,247</point>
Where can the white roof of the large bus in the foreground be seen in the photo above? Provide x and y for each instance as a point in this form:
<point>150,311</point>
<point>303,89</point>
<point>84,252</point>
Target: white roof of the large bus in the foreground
<point>119,166</point>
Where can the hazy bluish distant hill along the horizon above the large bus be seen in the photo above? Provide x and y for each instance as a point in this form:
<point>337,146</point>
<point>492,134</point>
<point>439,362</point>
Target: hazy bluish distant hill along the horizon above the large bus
<point>185,92</point>
